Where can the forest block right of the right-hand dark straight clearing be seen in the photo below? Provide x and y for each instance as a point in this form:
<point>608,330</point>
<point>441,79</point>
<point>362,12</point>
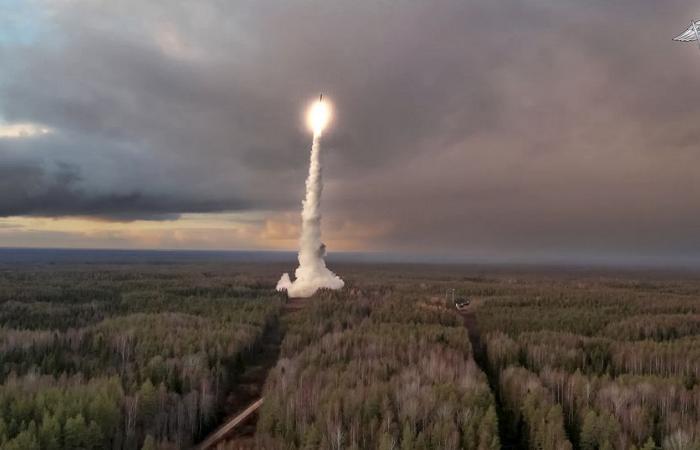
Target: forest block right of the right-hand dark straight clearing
<point>598,364</point>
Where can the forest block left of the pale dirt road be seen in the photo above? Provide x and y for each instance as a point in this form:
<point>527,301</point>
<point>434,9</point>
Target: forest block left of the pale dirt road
<point>125,357</point>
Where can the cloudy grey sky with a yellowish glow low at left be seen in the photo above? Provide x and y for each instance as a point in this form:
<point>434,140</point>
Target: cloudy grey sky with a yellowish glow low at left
<point>511,129</point>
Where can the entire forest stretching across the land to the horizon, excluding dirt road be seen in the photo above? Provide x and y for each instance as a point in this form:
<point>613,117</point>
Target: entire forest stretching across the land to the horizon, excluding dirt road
<point>150,356</point>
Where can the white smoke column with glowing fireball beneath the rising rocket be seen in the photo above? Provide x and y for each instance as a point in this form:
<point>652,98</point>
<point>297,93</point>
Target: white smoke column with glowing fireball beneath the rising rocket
<point>312,273</point>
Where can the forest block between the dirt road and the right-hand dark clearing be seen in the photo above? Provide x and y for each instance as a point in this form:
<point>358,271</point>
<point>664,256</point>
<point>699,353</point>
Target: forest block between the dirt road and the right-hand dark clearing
<point>377,370</point>
